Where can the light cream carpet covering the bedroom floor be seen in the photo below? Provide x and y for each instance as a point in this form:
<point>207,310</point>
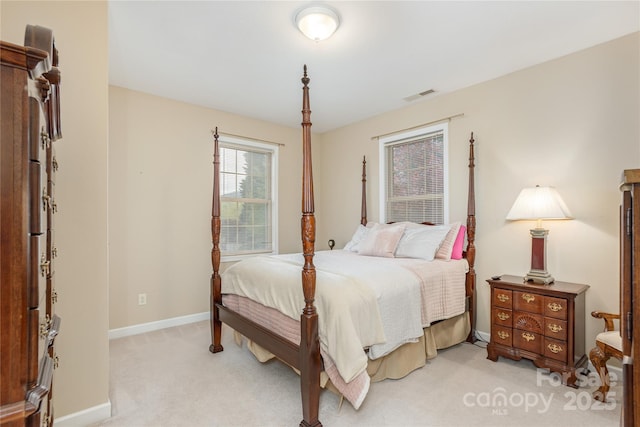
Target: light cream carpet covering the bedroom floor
<point>169,378</point>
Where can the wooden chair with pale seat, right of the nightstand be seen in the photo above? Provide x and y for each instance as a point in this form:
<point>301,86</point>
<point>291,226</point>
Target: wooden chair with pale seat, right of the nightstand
<point>608,344</point>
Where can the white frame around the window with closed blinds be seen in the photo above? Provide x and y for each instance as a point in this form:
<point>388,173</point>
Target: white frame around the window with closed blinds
<point>384,142</point>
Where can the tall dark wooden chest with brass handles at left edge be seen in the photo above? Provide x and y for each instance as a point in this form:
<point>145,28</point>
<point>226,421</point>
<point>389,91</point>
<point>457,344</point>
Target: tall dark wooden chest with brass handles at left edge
<point>29,125</point>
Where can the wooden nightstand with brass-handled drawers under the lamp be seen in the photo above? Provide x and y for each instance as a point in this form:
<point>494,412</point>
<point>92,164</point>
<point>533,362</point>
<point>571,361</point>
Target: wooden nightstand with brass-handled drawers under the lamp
<point>543,323</point>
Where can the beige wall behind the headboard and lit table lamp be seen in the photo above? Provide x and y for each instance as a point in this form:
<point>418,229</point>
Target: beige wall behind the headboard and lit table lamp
<point>571,123</point>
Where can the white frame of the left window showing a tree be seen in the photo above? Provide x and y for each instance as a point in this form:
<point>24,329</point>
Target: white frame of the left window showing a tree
<point>240,143</point>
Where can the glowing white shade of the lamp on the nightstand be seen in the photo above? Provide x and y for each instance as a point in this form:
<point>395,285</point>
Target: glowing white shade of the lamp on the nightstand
<point>539,203</point>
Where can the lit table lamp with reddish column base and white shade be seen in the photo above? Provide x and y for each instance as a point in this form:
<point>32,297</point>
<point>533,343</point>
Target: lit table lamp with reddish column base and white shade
<point>539,203</point>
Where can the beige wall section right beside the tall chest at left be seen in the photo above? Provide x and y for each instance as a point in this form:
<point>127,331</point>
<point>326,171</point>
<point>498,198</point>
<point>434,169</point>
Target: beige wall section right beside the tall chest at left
<point>80,30</point>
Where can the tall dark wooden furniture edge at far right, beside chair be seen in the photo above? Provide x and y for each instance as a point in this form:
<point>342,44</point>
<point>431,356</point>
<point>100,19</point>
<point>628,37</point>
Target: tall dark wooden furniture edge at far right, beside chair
<point>630,294</point>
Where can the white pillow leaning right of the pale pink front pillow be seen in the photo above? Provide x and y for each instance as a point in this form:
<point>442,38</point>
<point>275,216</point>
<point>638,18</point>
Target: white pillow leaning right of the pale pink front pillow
<point>422,242</point>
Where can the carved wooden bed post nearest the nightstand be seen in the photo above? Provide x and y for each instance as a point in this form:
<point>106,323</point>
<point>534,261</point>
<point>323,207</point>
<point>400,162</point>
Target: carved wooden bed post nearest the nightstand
<point>471,247</point>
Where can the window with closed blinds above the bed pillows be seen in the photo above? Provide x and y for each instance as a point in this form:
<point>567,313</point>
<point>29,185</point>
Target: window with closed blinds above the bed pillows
<point>414,170</point>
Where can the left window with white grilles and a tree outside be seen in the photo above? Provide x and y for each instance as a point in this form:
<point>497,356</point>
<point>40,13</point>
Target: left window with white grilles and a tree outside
<point>248,207</point>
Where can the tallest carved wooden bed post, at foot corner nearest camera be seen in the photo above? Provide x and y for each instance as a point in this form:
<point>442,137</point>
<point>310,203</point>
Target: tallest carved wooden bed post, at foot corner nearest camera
<point>309,340</point>
